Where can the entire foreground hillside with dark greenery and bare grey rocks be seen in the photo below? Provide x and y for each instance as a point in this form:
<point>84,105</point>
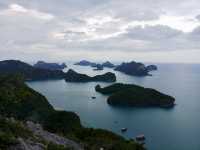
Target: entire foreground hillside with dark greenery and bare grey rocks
<point>28,121</point>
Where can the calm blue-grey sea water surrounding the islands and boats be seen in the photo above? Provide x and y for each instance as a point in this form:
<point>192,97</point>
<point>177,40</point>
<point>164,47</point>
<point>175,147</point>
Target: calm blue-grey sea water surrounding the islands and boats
<point>165,129</point>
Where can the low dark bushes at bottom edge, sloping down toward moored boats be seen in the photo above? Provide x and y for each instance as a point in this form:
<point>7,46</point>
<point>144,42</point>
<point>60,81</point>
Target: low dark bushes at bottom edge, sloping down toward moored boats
<point>97,138</point>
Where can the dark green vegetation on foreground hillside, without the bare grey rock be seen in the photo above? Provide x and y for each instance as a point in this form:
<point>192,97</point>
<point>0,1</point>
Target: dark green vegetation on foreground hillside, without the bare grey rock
<point>19,101</point>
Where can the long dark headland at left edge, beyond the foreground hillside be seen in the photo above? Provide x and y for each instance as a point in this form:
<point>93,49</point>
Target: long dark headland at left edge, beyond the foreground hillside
<point>29,72</point>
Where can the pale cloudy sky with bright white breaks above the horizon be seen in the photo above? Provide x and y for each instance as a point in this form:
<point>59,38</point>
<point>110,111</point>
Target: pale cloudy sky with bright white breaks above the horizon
<point>115,30</point>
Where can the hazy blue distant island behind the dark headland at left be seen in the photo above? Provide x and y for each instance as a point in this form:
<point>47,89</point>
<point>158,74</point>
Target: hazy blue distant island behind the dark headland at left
<point>50,66</point>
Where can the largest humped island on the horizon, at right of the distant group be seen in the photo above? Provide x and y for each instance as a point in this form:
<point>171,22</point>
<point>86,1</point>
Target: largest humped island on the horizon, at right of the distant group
<point>133,68</point>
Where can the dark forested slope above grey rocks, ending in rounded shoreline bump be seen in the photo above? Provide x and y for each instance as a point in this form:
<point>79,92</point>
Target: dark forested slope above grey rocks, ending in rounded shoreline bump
<point>19,101</point>
